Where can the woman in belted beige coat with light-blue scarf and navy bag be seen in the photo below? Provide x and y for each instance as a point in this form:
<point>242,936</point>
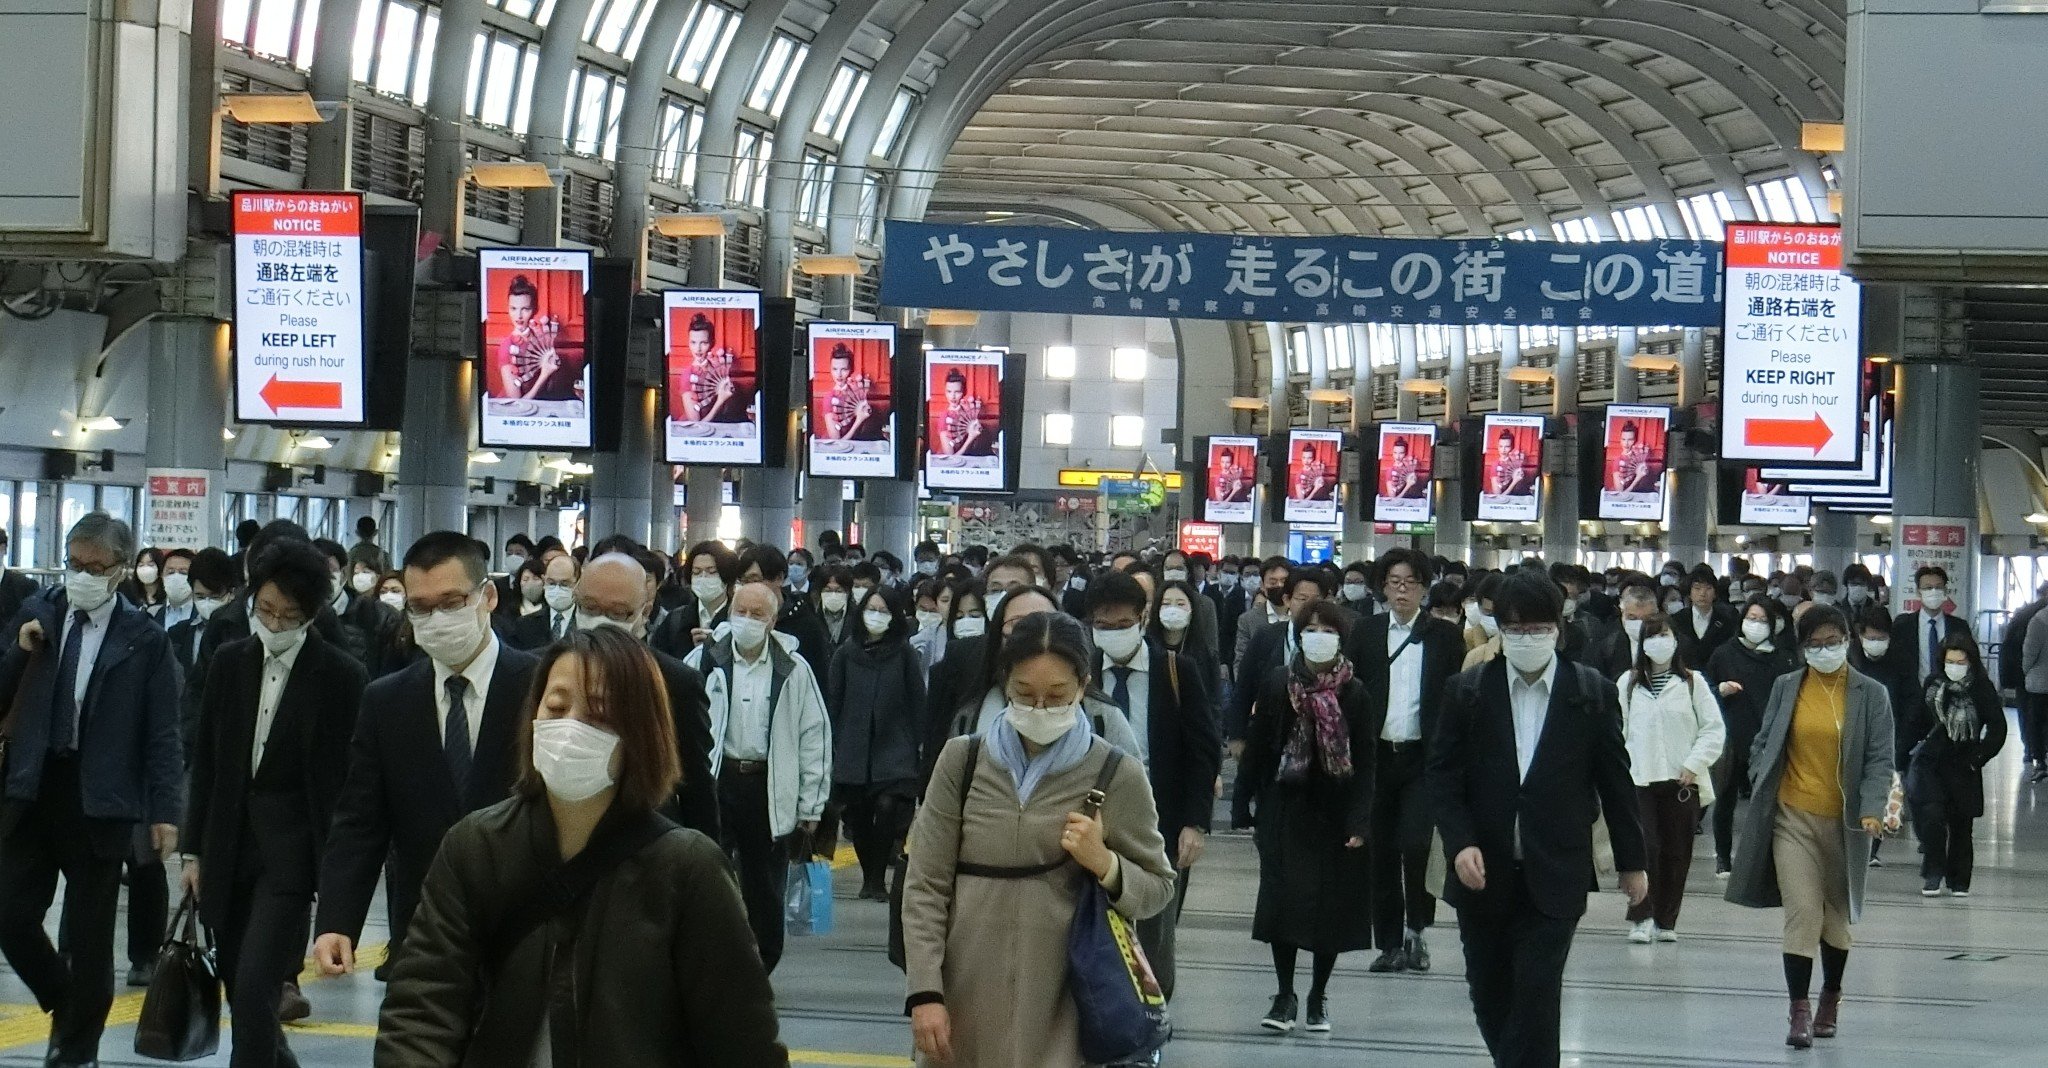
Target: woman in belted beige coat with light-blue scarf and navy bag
<point>994,874</point>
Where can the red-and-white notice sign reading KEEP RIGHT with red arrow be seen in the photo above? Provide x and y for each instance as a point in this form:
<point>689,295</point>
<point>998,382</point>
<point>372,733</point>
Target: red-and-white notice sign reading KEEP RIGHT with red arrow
<point>1791,382</point>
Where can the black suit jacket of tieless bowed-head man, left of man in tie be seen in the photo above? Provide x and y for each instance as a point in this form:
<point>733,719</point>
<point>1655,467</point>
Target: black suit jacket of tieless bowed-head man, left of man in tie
<point>284,809</point>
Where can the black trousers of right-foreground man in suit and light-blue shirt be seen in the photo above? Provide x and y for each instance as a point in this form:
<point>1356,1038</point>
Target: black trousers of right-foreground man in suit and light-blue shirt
<point>1514,969</point>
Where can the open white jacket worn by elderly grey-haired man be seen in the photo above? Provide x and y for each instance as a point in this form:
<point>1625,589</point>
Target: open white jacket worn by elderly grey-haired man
<point>800,733</point>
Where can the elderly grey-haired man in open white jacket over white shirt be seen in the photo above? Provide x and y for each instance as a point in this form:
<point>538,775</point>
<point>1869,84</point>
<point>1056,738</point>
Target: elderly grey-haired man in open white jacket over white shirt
<point>771,751</point>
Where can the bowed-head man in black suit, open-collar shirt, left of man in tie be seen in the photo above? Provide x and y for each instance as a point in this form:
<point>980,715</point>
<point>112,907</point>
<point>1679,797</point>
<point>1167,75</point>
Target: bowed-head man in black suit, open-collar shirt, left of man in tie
<point>278,708</point>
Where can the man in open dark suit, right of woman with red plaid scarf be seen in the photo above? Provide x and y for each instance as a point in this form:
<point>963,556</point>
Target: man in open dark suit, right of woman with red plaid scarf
<point>1404,657</point>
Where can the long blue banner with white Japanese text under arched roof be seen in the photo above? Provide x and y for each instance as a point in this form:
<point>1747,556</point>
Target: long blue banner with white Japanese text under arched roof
<point>1302,280</point>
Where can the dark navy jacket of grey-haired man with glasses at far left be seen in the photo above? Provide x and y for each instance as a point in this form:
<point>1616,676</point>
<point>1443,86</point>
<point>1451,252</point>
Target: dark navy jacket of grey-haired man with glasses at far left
<point>132,762</point>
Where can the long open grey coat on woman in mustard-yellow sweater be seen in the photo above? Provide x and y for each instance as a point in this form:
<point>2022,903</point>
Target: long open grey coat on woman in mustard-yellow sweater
<point>1867,784</point>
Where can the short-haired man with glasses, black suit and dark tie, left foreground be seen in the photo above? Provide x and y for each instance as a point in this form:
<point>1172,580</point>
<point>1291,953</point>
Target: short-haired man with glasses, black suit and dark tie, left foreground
<point>421,759</point>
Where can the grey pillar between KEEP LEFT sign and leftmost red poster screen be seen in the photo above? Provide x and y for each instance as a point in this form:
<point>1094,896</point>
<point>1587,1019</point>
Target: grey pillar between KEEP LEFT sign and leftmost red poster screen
<point>433,464</point>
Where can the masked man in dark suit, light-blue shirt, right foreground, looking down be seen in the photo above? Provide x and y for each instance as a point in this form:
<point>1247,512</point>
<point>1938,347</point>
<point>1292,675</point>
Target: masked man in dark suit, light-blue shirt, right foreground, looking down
<point>1523,749</point>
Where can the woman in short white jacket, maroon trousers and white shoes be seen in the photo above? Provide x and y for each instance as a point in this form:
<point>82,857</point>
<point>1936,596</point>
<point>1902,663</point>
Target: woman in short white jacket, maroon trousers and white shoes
<point>1674,737</point>
